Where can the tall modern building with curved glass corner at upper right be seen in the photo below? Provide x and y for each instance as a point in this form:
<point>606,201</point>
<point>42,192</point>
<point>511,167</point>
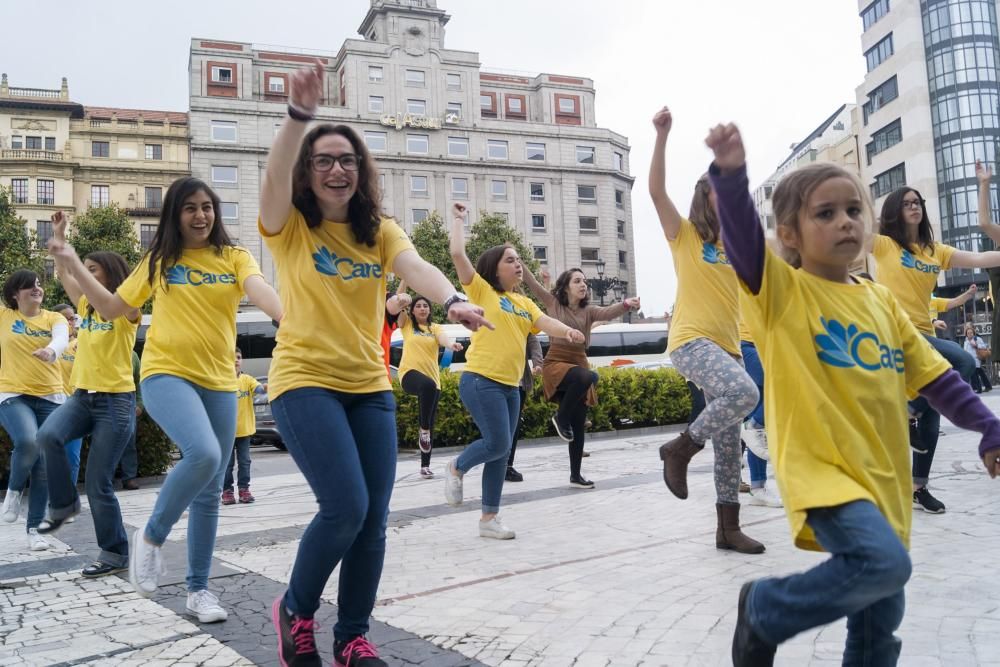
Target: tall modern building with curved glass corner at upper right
<point>930,104</point>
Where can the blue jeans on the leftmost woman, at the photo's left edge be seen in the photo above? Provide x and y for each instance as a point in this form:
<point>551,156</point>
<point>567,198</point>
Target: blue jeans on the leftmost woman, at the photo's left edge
<point>21,416</point>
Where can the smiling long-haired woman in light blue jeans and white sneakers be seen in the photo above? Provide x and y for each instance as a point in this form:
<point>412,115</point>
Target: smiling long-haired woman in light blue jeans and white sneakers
<point>196,278</point>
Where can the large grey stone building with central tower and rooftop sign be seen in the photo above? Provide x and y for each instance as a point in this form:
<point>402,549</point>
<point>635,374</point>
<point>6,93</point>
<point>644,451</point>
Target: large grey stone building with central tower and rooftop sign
<point>442,128</point>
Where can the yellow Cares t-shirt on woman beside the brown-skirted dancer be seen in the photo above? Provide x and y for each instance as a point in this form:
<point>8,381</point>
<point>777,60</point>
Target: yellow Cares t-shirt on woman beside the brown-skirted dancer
<point>499,354</point>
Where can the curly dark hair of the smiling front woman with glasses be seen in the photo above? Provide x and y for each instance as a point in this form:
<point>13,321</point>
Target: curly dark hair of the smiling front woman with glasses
<point>364,210</point>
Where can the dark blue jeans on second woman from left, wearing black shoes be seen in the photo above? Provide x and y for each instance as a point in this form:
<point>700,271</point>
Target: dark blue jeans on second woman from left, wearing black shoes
<point>110,421</point>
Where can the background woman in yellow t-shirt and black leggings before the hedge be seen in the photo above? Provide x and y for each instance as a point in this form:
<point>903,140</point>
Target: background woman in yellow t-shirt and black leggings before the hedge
<point>419,373</point>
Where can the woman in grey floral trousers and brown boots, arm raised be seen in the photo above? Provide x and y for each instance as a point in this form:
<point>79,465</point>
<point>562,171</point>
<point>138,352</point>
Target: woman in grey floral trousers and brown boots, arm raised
<point>704,346</point>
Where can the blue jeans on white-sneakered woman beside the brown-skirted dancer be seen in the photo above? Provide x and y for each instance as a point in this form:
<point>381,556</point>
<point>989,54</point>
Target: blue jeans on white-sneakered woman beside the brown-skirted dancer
<point>495,408</point>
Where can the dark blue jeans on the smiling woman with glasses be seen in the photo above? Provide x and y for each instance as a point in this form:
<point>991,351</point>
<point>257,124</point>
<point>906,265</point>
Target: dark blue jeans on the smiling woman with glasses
<point>345,446</point>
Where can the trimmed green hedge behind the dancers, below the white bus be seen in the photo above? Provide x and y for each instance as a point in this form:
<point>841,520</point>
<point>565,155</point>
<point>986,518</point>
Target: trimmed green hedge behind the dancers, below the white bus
<point>627,398</point>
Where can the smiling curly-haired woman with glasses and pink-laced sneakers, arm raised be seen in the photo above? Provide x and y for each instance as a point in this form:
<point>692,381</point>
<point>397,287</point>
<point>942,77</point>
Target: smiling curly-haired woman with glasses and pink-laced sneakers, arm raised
<point>330,394</point>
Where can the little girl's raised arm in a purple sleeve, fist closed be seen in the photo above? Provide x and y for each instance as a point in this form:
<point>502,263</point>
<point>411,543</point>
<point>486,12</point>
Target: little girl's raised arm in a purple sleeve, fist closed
<point>741,230</point>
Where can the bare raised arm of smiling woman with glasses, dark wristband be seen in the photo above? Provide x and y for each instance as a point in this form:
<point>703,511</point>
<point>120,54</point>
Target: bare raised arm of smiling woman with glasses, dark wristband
<point>304,94</point>
